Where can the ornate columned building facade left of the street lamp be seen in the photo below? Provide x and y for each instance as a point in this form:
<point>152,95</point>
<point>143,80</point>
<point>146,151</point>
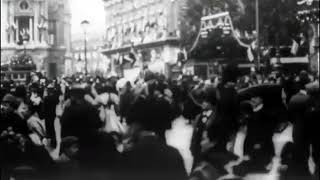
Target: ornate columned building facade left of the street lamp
<point>39,30</point>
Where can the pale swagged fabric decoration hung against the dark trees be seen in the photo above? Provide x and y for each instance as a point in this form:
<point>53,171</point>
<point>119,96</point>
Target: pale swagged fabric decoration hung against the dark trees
<point>215,21</point>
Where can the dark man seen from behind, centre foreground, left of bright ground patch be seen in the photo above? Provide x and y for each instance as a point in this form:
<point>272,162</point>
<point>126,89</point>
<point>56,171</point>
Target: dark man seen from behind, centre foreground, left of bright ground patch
<point>148,156</point>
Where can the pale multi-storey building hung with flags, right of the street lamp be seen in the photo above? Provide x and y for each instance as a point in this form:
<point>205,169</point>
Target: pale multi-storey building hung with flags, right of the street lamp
<point>151,27</point>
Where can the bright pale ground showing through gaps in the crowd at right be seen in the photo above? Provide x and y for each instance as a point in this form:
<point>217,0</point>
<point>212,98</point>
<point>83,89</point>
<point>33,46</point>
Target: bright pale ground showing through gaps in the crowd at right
<point>180,137</point>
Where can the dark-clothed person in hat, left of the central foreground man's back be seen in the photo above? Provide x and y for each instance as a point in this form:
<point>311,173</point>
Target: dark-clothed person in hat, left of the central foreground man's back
<point>97,155</point>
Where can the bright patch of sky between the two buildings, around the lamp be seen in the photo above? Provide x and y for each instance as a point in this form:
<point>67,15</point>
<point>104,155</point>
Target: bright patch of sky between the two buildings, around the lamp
<point>91,10</point>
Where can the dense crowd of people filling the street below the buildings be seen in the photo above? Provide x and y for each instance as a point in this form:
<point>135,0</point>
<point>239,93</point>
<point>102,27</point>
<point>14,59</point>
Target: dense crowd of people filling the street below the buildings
<point>84,127</point>
